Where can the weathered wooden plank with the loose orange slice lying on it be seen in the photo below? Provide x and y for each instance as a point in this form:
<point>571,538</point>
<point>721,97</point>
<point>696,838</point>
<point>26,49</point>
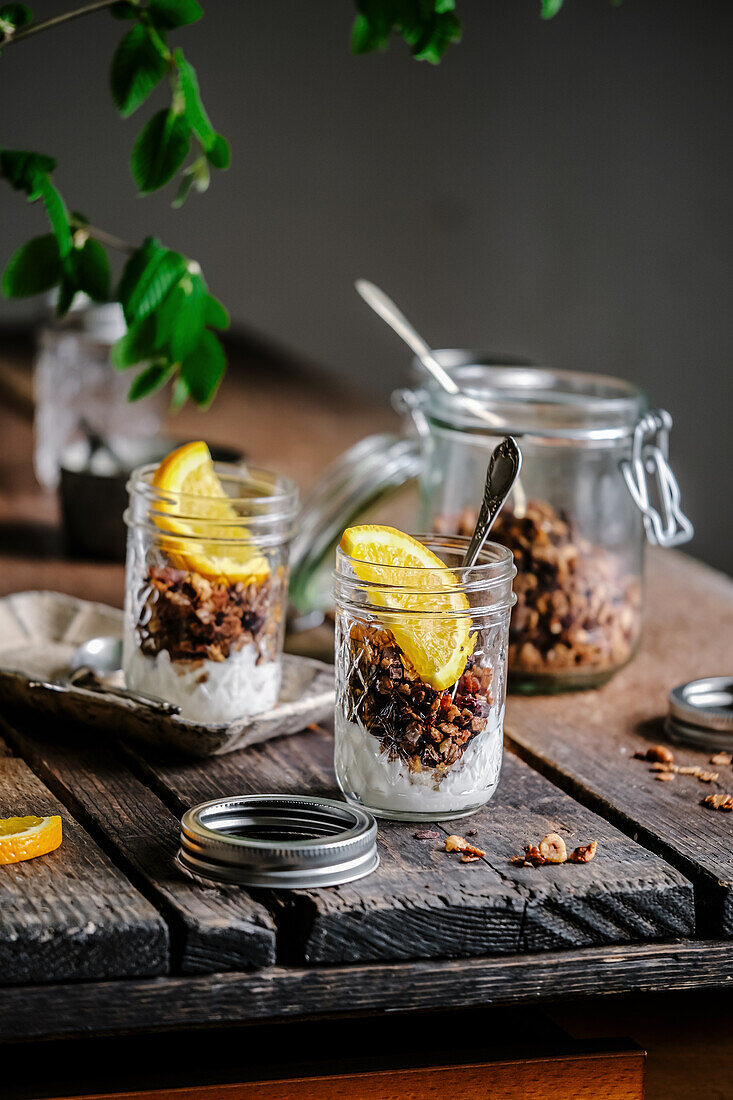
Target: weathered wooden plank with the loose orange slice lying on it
<point>72,914</point>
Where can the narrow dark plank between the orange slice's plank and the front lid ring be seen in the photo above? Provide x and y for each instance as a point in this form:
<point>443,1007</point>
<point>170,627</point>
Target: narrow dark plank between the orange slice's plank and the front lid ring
<point>213,929</point>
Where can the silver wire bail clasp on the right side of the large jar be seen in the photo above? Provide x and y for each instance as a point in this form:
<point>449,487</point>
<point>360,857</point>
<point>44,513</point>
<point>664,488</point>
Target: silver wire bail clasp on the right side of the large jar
<point>668,526</point>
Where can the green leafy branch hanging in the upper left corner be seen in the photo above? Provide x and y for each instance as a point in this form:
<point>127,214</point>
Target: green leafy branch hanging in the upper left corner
<point>165,298</point>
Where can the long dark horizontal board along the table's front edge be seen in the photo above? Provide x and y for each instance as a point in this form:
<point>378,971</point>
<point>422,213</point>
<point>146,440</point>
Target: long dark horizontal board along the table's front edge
<point>277,993</point>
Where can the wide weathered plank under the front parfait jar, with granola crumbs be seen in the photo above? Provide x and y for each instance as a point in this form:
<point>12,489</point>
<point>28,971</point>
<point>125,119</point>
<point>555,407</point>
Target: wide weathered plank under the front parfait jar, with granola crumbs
<point>423,904</point>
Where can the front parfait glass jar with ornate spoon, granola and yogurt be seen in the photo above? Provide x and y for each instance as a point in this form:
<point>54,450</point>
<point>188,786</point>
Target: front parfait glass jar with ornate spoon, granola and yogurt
<point>404,750</point>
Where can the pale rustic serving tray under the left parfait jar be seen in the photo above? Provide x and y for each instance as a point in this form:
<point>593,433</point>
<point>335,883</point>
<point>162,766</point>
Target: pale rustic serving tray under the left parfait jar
<point>39,632</point>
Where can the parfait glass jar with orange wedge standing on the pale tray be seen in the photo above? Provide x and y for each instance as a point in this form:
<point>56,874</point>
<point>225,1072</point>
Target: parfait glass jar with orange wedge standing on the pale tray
<point>205,617</point>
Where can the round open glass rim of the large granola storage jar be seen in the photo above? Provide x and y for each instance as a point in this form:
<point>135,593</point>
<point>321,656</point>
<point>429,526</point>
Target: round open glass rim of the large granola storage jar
<point>532,401</point>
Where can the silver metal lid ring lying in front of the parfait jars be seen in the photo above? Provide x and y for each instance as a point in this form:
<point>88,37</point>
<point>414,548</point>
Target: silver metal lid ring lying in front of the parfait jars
<point>278,841</point>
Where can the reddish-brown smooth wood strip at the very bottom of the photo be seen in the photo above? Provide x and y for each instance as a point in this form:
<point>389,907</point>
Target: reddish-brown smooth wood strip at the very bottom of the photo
<point>618,1076</point>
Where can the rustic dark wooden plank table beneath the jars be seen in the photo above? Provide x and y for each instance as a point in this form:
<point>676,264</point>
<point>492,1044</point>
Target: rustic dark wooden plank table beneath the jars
<point>106,936</point>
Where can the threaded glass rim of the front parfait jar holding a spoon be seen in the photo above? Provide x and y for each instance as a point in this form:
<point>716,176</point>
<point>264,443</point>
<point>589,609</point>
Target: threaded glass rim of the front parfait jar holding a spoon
<point>495,569</point>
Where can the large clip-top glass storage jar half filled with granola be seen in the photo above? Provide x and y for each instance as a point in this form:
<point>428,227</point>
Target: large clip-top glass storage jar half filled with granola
<point>595,474</point>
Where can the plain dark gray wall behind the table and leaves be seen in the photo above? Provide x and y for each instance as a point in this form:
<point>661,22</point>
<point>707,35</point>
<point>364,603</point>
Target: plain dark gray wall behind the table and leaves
<point>555,190</point>
